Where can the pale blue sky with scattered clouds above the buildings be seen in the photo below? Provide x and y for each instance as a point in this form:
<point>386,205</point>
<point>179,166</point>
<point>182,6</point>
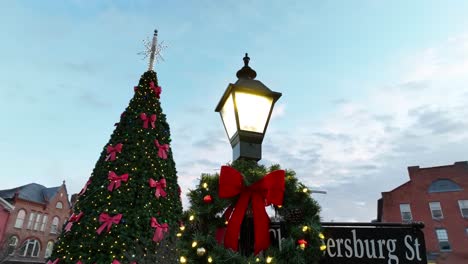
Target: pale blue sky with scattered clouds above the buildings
<point>369,87</point>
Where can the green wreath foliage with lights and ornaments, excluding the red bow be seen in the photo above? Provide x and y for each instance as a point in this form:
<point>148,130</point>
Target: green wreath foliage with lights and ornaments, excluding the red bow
<point>300,213</point>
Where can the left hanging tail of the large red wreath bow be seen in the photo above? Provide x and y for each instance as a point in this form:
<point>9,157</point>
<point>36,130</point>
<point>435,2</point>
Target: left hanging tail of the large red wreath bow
<point>231,238</point>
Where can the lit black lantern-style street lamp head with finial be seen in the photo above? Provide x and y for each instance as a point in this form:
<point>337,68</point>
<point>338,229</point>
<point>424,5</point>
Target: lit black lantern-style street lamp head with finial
<point>245,109</point>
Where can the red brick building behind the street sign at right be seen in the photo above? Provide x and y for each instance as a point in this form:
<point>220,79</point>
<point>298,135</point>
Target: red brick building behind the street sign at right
<point>437,196</point>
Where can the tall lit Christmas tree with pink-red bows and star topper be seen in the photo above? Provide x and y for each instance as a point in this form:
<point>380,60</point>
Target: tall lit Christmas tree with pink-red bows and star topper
<point>129,209</point>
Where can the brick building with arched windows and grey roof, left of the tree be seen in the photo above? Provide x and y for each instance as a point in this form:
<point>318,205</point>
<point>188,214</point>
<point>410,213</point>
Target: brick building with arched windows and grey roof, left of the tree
<point>31,219</point>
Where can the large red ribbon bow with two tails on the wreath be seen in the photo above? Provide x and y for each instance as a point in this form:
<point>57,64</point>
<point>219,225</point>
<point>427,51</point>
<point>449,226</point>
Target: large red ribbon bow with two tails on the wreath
<point>268,190</point>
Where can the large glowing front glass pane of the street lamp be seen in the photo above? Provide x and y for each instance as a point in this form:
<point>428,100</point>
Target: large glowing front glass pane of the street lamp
<point>253,111</point>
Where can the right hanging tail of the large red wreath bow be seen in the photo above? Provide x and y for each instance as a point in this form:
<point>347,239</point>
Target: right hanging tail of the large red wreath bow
<point>261,224</point>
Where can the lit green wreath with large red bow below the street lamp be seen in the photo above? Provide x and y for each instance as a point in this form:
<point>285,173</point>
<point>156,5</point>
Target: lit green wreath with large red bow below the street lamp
<point>226,221</point>
